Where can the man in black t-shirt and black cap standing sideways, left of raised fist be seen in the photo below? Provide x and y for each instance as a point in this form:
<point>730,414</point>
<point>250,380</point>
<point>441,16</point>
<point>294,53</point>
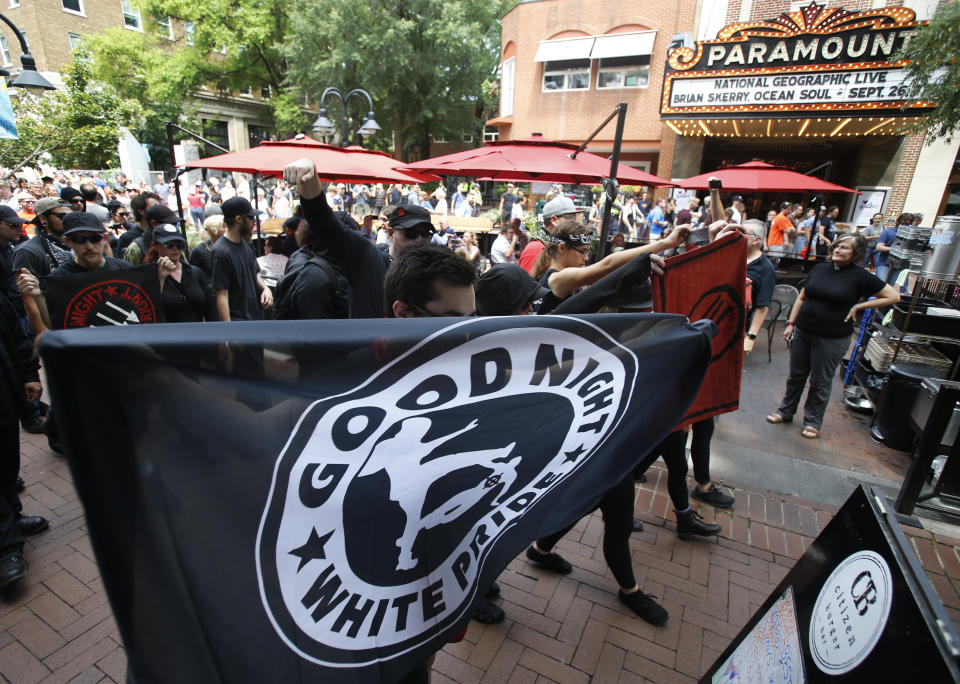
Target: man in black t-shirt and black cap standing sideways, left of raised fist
<point>241,293</point>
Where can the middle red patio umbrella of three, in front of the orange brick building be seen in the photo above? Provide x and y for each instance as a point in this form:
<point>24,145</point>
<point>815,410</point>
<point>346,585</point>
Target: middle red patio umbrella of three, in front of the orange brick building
<point>532,159</point>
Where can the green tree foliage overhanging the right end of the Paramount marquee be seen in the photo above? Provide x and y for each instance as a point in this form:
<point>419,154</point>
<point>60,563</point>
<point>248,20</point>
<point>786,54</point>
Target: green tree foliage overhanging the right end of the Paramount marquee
<point>934,70</point>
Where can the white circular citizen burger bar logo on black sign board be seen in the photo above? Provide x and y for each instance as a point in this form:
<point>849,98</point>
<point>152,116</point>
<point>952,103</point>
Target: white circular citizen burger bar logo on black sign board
<point>851,612</point>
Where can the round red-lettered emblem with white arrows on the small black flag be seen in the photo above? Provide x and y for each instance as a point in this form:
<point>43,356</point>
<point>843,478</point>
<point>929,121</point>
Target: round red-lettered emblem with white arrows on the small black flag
<point>111,302</point>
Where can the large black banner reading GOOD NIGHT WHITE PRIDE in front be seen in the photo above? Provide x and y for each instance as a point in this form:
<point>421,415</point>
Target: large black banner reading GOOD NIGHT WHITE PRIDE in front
<point>344,532</point>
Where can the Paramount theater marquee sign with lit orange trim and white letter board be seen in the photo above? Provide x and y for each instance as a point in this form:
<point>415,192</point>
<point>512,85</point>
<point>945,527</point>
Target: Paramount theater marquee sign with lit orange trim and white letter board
<point>830,62</point>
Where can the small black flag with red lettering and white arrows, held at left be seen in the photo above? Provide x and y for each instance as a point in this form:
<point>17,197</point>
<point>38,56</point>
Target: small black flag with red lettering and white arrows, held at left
<point>126,297</point>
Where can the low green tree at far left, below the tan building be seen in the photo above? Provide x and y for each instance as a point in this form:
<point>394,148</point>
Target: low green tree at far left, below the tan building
<point>77,125</point>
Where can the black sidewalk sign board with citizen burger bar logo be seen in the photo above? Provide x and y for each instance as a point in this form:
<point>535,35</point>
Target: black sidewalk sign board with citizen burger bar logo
<point>852,609</point>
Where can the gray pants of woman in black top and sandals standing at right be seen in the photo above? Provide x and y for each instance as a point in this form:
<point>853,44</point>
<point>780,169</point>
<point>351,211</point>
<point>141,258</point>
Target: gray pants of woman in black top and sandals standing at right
<point>818,358</point>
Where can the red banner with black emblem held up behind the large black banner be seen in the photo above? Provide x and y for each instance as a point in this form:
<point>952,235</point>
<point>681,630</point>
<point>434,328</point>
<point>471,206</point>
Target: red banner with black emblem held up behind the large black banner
<point>709,282</point>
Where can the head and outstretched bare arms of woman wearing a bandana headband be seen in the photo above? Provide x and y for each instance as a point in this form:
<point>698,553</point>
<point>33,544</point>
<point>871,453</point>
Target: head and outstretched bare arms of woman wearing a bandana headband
<point>561,266</point>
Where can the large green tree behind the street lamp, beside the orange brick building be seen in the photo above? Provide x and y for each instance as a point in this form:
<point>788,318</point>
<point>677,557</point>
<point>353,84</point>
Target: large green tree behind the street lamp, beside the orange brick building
<point>424,62</point>
